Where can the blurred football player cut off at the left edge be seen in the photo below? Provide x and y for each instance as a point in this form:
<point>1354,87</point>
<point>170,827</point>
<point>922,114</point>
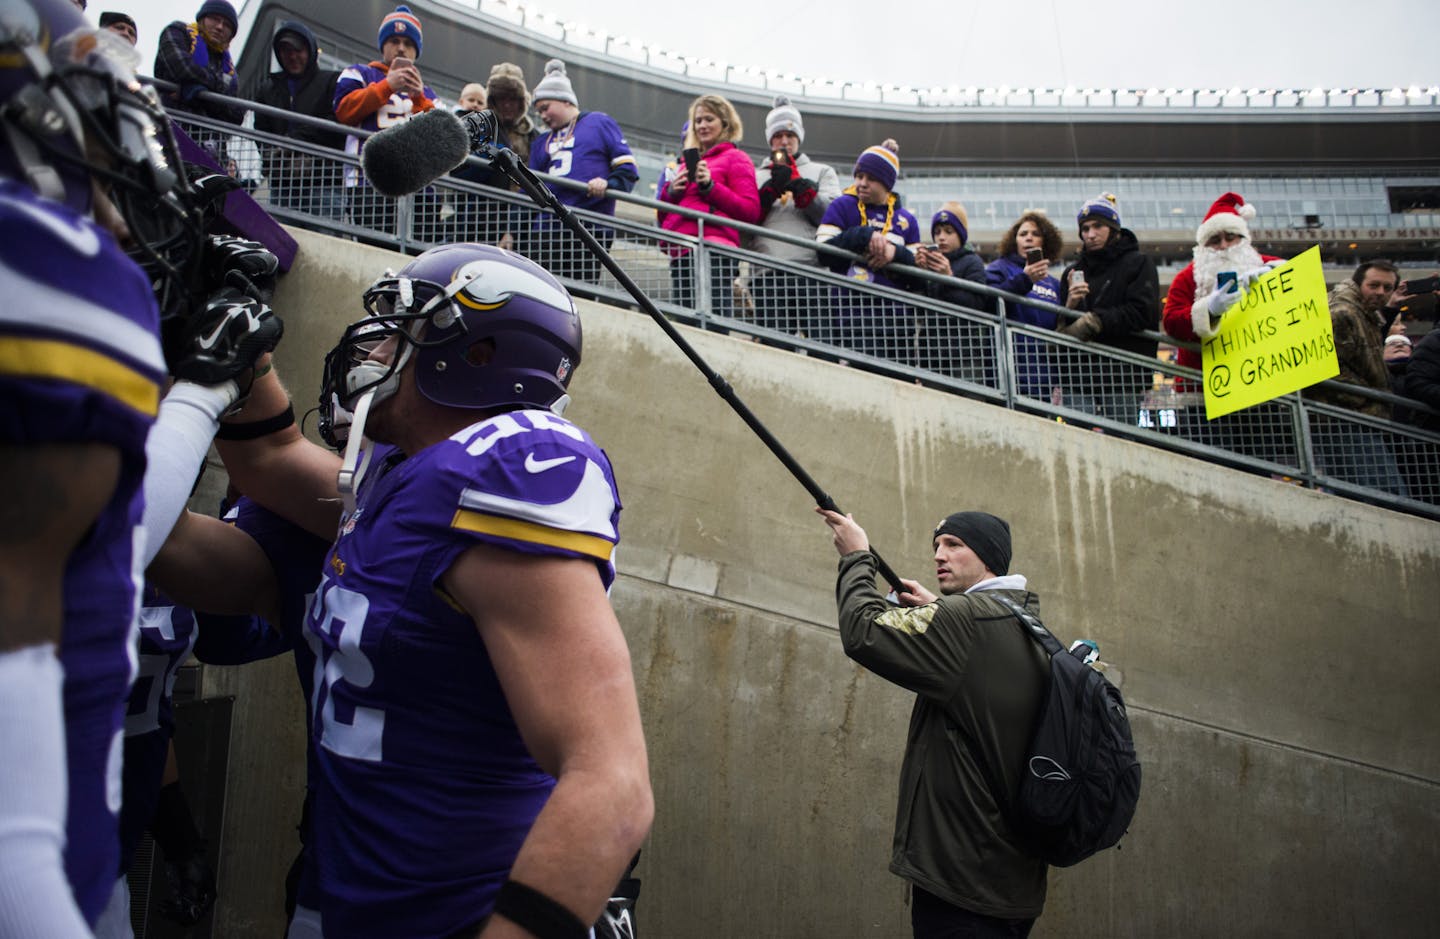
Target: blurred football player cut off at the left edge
<point>87,175</point>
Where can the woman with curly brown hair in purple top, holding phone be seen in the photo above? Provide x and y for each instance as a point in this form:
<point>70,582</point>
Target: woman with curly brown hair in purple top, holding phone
<point>1016,273</point>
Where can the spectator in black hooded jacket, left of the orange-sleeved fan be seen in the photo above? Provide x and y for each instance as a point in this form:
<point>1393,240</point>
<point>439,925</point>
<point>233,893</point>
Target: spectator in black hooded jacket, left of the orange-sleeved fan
<point>299,181</point>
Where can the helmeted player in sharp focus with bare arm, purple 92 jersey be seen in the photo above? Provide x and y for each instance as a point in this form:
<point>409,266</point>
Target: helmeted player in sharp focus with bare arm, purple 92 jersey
<point>479,750</point>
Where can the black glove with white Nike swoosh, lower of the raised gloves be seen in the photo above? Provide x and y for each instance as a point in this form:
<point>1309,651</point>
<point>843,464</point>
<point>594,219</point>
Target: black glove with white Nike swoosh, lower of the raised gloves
<point>224,339</point>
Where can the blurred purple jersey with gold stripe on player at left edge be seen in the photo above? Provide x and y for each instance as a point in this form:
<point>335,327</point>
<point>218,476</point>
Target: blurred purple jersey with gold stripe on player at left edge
<point>81,362</point>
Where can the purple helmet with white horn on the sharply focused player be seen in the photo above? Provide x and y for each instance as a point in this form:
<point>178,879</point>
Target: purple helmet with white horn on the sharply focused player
<point>487,331</point>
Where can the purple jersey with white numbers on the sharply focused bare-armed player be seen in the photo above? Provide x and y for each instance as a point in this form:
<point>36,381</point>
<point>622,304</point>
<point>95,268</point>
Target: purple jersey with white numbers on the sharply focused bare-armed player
<point>427,790</point>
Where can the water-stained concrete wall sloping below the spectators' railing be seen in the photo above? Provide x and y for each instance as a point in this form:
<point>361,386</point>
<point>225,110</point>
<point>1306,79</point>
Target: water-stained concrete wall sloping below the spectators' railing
<point>1278,649</point>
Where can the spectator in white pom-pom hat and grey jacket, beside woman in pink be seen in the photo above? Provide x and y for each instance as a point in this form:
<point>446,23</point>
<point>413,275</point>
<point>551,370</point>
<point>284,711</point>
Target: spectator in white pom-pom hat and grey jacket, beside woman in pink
<point>794,195</point>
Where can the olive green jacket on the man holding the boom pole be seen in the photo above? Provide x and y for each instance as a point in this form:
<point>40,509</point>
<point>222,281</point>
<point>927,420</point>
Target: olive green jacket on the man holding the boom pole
<point>978,682</point>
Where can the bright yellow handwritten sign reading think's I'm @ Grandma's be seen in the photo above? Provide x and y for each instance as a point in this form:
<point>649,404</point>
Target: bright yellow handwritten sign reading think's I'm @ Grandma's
<point>1275,341</point>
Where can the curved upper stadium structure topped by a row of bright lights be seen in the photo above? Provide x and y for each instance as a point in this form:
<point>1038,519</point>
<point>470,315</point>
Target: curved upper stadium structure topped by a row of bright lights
<point>948,129</point>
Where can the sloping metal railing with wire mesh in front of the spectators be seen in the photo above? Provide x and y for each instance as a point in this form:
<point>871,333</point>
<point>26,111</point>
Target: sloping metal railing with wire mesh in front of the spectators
<point>971,349</point>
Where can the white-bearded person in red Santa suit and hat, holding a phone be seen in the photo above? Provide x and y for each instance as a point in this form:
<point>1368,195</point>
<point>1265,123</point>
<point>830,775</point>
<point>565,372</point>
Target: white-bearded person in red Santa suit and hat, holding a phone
<point>1197,302</point>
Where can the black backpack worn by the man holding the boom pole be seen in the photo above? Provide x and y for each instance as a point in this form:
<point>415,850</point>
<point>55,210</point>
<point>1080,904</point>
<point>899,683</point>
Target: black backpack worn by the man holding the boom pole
<point>1082,778</point>
